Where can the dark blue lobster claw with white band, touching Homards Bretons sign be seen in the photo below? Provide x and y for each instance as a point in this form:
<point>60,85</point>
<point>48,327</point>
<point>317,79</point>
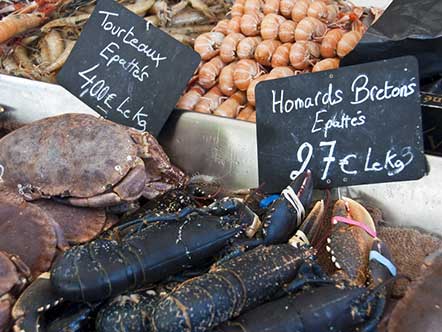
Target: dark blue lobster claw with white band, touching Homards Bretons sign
<point>286,213</point>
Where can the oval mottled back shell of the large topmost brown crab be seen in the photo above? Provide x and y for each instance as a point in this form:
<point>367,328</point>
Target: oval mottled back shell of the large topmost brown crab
<point>69,155</point>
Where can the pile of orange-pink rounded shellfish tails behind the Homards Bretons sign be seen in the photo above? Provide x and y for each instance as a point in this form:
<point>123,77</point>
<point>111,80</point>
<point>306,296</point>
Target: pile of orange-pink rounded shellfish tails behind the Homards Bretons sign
<point>266,40</point>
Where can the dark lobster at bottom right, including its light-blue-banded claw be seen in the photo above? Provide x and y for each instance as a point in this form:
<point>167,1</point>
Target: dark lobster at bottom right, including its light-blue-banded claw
<point>327,306</point>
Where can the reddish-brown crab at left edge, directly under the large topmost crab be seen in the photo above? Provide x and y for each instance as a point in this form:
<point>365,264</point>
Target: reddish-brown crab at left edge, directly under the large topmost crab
<point>28,232</point>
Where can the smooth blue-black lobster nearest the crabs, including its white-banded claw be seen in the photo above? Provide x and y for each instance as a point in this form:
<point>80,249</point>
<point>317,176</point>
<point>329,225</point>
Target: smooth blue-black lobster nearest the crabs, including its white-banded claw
<point>159,245</point>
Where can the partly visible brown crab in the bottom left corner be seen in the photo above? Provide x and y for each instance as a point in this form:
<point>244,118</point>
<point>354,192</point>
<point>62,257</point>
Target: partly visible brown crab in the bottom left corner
<point>13,278</point>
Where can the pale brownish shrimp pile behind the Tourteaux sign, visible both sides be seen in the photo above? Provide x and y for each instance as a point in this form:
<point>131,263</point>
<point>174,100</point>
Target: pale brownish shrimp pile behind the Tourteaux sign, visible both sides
<point>36,37</point>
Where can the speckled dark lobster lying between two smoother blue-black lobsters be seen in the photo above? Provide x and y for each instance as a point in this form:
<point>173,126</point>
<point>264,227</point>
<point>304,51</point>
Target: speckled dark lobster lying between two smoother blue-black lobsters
<point>234,286</point>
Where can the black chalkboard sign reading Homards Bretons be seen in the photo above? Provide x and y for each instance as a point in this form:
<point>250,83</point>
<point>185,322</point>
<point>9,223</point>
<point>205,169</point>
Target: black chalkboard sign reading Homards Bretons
<point>355,125</point>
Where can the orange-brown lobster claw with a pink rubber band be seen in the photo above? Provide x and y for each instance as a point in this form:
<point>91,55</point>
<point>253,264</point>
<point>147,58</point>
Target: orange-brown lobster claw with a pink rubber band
<point>349,246</point>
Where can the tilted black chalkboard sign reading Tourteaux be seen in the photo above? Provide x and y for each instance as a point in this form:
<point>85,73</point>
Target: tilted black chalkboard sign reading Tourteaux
<point>126,69</point>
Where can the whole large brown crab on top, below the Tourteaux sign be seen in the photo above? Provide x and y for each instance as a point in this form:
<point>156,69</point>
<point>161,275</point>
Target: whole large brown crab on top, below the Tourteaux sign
<point>86,161</point>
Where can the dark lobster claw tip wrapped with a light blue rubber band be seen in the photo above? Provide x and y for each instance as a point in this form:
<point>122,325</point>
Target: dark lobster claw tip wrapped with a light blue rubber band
<point>380,263</point>
